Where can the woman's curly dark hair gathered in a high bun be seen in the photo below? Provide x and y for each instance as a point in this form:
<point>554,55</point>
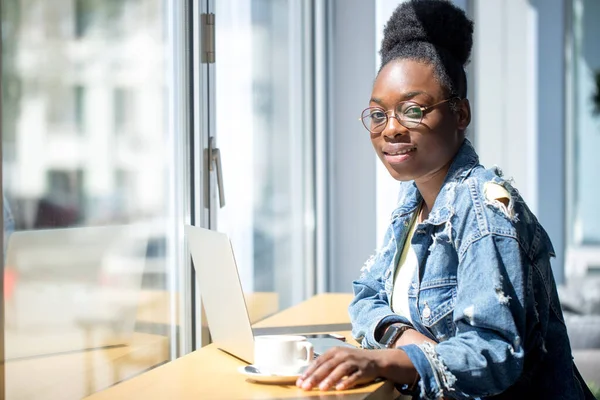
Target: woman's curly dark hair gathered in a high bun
<point>433,31</point>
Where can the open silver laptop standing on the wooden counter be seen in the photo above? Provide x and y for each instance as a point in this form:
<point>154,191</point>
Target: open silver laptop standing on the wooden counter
<point>224,302</point>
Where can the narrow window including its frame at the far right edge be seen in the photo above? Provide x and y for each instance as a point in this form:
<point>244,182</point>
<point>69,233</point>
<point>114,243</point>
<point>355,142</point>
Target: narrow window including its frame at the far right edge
<point>583,140</point>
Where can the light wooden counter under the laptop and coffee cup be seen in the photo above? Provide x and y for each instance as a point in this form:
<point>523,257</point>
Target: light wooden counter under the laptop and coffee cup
<point>209,373</point>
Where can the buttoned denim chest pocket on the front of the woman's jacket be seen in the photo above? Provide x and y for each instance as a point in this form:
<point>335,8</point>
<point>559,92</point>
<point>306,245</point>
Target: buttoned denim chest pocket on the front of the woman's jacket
<point>436,307</point>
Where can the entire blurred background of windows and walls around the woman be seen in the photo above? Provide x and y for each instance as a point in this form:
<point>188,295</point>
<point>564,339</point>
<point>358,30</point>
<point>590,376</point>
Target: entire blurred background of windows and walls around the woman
<point>108,110</point>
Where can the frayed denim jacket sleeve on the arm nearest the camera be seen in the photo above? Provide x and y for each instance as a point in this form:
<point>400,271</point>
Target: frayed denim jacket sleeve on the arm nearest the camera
<point>486,355</point>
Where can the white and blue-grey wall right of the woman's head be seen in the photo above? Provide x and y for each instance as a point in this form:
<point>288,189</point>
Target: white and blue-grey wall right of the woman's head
<point>519,103</point>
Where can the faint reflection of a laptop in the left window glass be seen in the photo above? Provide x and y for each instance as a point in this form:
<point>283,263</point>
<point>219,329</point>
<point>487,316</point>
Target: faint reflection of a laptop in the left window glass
<point>73,289</point>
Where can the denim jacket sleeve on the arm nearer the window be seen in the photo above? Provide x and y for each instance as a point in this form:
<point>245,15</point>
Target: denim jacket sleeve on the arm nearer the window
<point>370,307</point>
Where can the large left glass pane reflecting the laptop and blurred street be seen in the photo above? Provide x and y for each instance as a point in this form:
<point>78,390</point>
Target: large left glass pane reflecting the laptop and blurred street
<point>88,194</point>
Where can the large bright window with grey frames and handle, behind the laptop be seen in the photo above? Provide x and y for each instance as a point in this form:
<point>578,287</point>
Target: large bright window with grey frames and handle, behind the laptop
<point>108,165</point>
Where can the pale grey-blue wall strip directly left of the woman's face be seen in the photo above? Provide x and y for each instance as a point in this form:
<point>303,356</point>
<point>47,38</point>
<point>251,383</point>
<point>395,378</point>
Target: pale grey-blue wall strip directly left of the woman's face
<point>352,166</point>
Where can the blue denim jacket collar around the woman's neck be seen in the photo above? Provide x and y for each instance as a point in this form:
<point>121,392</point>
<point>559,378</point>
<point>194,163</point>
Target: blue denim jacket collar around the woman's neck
<point>409,198</point>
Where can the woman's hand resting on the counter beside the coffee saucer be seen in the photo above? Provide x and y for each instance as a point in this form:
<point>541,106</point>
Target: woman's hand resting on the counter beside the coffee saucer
<point>342,368</point>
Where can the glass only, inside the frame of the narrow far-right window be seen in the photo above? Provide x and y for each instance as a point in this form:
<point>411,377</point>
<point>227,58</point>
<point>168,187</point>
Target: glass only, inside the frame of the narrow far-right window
<point>585,79</point>
